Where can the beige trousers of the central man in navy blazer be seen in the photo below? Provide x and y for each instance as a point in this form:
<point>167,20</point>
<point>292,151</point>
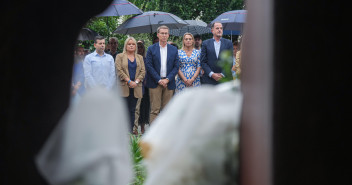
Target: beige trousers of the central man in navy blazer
<point>159,97</point>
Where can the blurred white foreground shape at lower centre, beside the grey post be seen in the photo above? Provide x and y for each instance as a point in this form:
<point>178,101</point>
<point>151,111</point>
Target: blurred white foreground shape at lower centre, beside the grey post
<point>195,140</point>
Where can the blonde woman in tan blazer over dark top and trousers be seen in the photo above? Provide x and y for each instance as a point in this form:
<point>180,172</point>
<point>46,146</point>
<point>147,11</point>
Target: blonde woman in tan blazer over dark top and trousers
<point>131,71</point>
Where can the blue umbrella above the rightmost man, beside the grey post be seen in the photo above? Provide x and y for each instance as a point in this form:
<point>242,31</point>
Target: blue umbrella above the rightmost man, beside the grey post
<point>232,20</point>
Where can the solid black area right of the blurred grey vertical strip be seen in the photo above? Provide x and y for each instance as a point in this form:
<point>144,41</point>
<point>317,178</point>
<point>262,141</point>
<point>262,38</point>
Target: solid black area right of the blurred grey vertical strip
<point>311,89</point>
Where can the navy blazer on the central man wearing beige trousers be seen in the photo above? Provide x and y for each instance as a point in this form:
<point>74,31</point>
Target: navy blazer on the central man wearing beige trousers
<point>153,65</point>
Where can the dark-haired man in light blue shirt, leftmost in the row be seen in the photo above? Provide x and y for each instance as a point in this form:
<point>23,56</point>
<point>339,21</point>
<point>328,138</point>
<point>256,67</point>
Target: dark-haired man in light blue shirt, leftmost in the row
<point>99,67</point>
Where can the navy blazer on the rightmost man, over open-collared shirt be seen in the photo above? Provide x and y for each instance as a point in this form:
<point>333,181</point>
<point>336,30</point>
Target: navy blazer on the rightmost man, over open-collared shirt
<point>209,61</point>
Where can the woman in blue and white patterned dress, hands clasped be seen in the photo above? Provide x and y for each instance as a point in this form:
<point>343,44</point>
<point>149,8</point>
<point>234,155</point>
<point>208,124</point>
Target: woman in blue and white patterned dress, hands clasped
<point>189,61</point>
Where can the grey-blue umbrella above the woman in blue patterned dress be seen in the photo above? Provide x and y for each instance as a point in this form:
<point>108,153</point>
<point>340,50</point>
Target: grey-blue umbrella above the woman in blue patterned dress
<point>196,27</point>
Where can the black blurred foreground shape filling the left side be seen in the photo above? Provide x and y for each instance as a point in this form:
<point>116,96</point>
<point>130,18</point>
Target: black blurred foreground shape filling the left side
<point>36,57</point>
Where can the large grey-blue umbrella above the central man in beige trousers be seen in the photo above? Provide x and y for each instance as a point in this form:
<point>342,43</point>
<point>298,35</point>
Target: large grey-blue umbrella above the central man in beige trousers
<point>148,22</point>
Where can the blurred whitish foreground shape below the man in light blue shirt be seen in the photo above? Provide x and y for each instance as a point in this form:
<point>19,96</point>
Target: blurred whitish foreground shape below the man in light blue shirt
<point>90,146</point>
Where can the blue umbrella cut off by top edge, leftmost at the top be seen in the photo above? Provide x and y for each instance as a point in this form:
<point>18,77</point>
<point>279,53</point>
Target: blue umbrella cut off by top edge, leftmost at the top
<point>120,7</point>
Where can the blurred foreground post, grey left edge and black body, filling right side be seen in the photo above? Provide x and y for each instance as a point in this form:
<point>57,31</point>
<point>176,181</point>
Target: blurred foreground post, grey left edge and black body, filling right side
<point>295,80</point>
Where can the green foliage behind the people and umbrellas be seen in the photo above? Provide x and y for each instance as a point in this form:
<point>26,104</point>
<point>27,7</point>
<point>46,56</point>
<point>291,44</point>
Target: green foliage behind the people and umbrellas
<point>205,10</point>
